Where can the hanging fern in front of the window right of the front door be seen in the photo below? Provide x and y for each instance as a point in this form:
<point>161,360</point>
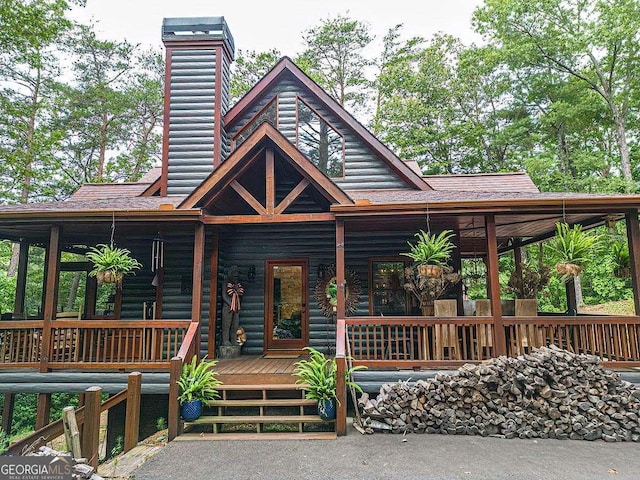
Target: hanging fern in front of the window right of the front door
<point>431,252</point>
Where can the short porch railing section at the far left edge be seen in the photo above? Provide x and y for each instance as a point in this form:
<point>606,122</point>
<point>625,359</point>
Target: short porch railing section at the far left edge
<point>20,343</point>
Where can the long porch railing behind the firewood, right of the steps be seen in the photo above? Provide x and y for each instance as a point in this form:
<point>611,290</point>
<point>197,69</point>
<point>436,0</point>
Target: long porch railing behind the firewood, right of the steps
<point>428,341</point>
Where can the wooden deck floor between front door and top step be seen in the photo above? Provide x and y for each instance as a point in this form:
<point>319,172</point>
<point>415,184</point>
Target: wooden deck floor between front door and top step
<point>247,370</point>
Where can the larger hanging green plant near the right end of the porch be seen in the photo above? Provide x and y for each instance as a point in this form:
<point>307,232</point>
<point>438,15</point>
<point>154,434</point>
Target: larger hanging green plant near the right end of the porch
<point>573,247</point>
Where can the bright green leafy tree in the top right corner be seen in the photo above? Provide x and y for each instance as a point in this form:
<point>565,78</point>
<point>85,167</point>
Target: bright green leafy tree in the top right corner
<point>592,42</point>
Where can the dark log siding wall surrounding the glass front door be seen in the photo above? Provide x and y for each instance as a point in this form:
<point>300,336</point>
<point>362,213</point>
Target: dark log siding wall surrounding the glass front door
<point>253,245</point>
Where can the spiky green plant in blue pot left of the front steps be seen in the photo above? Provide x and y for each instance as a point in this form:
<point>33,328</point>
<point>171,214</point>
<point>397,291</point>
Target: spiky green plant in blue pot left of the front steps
<point>198,384</point>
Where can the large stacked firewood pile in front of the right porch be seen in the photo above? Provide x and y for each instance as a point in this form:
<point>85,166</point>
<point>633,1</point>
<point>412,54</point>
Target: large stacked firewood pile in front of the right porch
<point>549,393</point>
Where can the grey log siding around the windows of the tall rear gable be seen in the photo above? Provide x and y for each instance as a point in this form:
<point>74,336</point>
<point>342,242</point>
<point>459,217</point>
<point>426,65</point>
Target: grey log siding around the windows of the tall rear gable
<point>363,169</point>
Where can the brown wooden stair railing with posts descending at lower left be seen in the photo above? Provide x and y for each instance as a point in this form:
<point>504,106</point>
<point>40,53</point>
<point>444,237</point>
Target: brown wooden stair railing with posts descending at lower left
<point>88,419</point>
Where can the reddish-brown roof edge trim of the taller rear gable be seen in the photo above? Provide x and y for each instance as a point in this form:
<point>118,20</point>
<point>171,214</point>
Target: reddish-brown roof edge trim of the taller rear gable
<point>286,66</point>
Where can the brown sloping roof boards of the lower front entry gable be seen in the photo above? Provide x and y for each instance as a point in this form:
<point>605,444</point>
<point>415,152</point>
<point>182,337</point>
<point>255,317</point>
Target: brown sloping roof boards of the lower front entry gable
<point>243,156</point>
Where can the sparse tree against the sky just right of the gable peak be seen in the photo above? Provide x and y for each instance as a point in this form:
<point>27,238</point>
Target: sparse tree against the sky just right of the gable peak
<point>334,58</point>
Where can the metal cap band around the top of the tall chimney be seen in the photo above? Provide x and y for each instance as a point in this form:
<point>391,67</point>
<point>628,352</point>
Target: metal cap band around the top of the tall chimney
<point>197,28</point>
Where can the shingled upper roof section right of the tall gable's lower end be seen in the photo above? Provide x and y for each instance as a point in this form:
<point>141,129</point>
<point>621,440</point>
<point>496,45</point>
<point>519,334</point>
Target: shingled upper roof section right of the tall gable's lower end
<point>483,182</point>
